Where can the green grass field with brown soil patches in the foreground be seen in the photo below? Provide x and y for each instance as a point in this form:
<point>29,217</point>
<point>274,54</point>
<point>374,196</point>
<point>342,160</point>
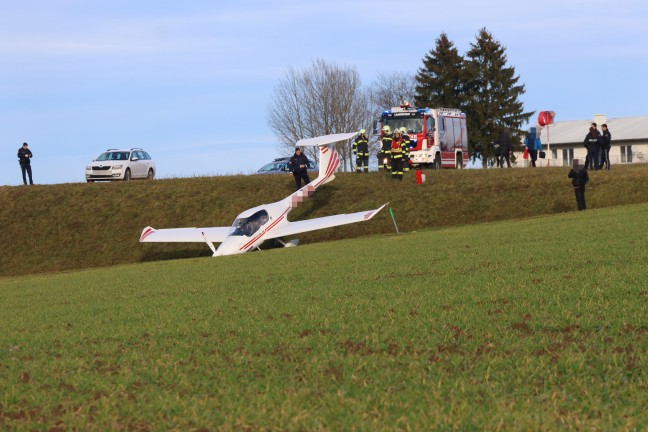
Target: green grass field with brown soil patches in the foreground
<point>531,324</point>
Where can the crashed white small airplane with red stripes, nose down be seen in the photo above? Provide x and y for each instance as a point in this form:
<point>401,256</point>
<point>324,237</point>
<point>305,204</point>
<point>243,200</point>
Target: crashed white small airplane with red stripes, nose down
<point>269,221</point>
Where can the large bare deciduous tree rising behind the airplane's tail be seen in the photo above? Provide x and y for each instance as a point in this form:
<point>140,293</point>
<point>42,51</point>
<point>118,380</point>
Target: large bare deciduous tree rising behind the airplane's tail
<point>321,100</point>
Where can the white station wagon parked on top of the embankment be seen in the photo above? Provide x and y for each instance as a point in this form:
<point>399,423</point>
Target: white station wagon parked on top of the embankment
<point>116,164</point>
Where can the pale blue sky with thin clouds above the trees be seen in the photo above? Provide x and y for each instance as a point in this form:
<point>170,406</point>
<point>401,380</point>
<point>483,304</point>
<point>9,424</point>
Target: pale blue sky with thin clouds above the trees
<point>190,81</point>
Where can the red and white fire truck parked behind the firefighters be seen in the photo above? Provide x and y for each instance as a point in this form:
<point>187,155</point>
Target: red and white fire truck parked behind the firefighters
<point>438,136</point>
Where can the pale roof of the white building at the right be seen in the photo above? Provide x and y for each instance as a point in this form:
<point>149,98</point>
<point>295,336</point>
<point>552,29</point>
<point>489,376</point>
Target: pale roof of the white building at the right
<point>570,132</point>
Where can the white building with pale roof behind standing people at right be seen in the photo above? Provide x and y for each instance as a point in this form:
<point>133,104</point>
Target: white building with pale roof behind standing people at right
<point>563,141</point>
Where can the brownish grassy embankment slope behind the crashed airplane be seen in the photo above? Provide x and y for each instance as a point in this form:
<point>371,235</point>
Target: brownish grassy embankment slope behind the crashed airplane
<point>46,228</point>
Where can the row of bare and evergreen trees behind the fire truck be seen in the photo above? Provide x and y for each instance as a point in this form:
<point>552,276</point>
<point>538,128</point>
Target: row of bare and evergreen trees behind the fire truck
<point>325,98</point>
